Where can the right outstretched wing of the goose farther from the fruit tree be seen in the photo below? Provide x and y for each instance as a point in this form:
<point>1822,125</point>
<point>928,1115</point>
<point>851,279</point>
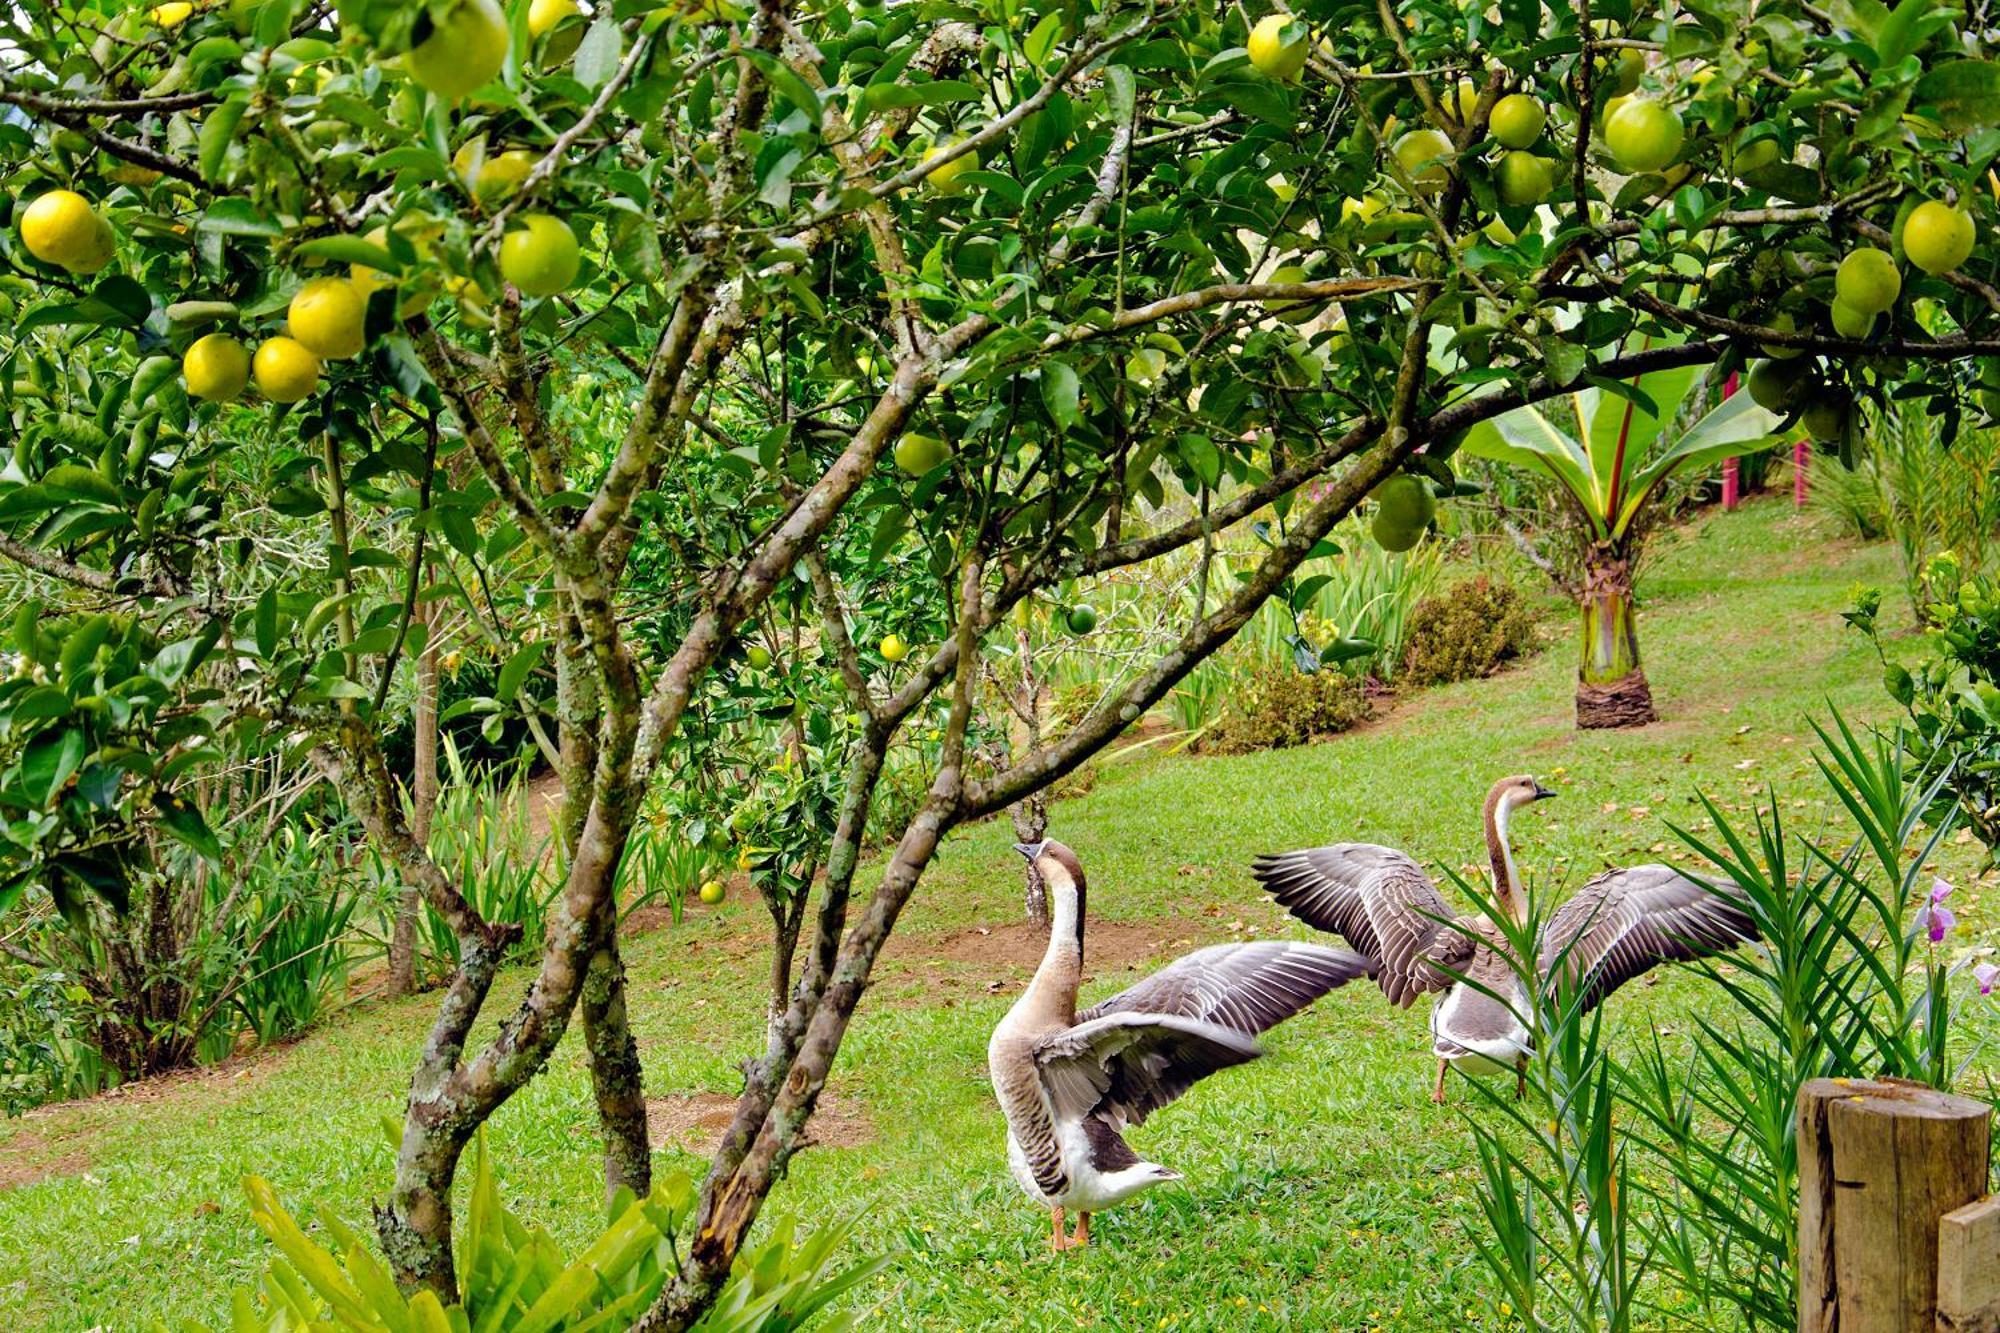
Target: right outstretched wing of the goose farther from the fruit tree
<point>1625,924</point>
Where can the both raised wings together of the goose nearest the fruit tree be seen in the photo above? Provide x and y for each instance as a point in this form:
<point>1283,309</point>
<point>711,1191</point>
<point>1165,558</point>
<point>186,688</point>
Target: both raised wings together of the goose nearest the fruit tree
<point>1147,1046</point>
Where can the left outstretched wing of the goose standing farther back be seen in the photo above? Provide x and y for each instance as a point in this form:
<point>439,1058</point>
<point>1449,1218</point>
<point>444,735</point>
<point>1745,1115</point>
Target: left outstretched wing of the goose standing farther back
<point>1383,904</point>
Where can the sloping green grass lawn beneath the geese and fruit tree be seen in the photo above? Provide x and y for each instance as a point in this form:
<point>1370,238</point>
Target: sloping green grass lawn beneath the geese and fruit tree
<point>1323,1190</point>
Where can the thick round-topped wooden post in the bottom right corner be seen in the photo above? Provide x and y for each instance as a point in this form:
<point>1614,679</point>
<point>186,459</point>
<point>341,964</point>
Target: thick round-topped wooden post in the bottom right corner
<point>1879,1168</point>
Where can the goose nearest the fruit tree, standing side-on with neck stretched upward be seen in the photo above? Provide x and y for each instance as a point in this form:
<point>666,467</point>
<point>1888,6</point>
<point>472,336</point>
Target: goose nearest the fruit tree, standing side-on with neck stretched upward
<point>1071,1084</point>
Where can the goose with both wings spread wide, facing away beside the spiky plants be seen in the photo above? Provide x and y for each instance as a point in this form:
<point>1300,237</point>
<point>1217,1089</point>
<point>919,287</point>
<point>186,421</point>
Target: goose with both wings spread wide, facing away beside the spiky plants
<point>1617,928</point>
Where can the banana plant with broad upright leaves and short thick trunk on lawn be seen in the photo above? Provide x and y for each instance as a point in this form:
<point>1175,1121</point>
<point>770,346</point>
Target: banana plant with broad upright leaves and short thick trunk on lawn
<point>1609,479</point>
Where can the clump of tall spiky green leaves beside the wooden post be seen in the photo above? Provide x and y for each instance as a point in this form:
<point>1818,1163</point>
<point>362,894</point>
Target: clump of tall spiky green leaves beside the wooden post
<point>1691,1208</point>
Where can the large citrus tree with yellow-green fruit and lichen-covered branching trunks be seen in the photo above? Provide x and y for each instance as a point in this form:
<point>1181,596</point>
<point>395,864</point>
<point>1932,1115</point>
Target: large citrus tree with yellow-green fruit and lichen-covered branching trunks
<point>893,319</point>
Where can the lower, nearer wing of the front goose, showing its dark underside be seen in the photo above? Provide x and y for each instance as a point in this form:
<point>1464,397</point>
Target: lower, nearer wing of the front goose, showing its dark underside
<point>1127,1066</point>
